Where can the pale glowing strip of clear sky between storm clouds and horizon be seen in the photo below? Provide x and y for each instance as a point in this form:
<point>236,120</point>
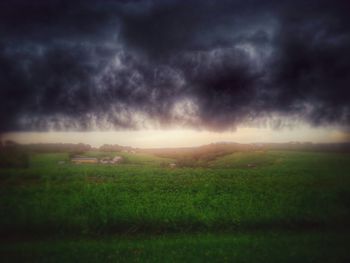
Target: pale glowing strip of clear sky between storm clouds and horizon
<point>183,137</point>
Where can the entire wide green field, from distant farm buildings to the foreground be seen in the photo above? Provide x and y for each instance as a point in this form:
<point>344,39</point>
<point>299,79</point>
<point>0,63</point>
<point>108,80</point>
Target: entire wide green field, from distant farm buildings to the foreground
<point>274,206</point>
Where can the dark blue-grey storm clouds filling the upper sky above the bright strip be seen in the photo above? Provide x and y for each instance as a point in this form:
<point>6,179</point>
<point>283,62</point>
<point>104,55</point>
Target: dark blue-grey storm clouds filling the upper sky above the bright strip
<point>208,64</point>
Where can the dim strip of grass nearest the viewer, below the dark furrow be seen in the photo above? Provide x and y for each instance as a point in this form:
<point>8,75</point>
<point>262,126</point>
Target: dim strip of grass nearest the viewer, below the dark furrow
<point>240,247</point>
